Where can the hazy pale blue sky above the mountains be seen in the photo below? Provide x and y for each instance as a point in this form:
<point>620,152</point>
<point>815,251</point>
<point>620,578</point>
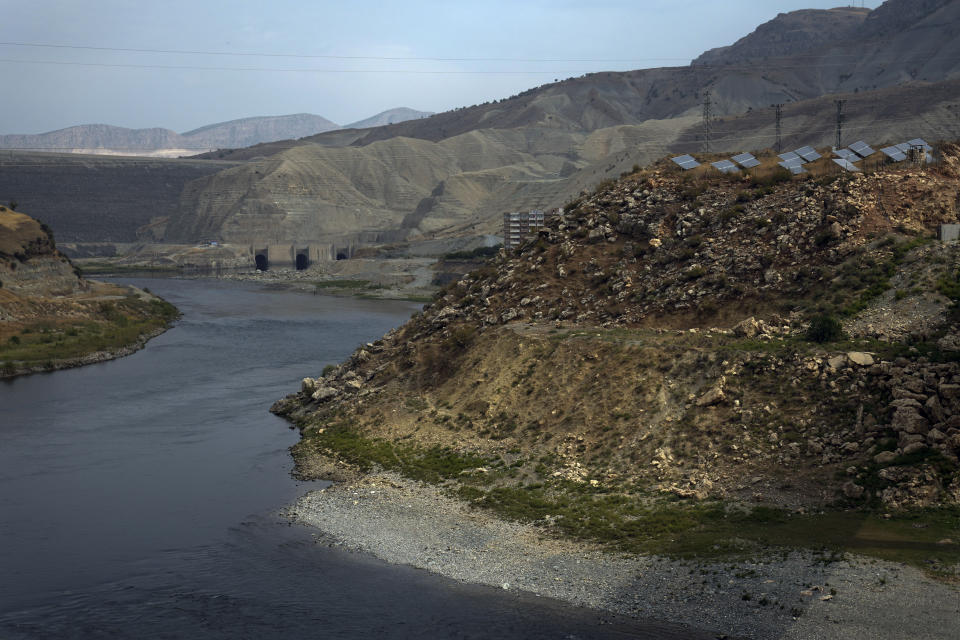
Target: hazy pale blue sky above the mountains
<point>223,59</point>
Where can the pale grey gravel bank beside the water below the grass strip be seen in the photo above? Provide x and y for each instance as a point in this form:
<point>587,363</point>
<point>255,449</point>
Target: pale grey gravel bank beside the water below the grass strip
<point>792,596</point>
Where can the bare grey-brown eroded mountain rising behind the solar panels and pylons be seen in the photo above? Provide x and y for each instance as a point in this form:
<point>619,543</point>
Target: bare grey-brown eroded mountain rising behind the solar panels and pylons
<point>556,140</point>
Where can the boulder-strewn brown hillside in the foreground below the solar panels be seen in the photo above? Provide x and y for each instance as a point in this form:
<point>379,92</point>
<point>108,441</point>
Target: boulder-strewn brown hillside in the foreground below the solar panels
<point>768,340</point>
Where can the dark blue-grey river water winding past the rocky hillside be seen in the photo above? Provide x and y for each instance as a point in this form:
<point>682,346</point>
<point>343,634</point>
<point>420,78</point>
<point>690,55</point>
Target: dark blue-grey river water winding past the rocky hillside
<point>139,497</point>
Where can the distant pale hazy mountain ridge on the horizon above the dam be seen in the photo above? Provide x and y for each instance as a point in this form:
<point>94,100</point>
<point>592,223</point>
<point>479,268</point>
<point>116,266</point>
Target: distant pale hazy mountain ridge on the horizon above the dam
<point>244,132</point>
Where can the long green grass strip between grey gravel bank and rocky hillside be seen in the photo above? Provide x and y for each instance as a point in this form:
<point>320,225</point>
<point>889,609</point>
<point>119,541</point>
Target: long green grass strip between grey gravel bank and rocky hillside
<point>636,520</point>
